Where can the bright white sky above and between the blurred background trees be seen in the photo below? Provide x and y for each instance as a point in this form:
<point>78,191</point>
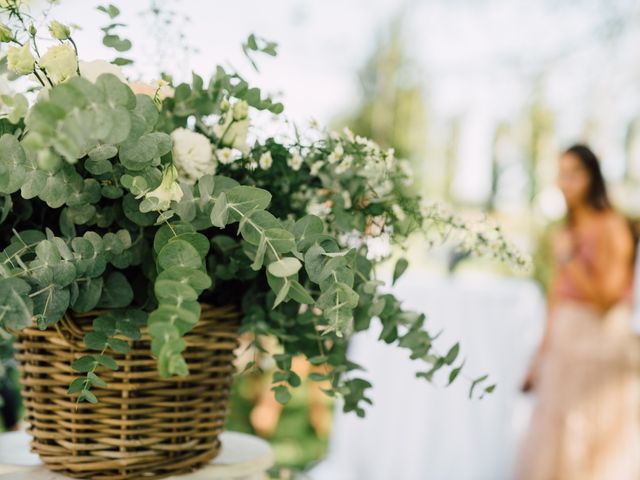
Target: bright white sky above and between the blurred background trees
<point>481,60</point>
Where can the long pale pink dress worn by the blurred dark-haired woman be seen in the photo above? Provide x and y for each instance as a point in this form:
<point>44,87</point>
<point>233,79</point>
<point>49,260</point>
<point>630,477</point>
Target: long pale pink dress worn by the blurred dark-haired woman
<point>586,425</point>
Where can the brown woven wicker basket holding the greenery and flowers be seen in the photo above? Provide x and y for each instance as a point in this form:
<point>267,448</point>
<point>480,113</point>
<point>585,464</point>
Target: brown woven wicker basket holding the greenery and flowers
<point>143,426</point>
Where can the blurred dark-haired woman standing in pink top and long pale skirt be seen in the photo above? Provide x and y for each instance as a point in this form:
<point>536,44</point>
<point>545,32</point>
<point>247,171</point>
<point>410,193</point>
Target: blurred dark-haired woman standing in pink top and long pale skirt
<point>586,425</point>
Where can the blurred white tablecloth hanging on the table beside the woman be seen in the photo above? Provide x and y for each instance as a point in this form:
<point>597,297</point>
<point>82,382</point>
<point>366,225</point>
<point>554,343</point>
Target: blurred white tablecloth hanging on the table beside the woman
<point>416,431</point>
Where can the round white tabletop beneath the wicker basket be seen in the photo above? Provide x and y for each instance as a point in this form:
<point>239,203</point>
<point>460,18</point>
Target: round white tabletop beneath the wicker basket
<point>242,457</point>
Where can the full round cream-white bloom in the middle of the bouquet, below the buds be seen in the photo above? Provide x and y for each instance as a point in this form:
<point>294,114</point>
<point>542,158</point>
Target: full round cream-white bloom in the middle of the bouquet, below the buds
<point>192,155</point>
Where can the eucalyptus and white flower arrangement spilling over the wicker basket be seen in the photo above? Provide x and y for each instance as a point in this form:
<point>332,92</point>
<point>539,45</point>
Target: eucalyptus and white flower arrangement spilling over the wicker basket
<point>146,200</point>
